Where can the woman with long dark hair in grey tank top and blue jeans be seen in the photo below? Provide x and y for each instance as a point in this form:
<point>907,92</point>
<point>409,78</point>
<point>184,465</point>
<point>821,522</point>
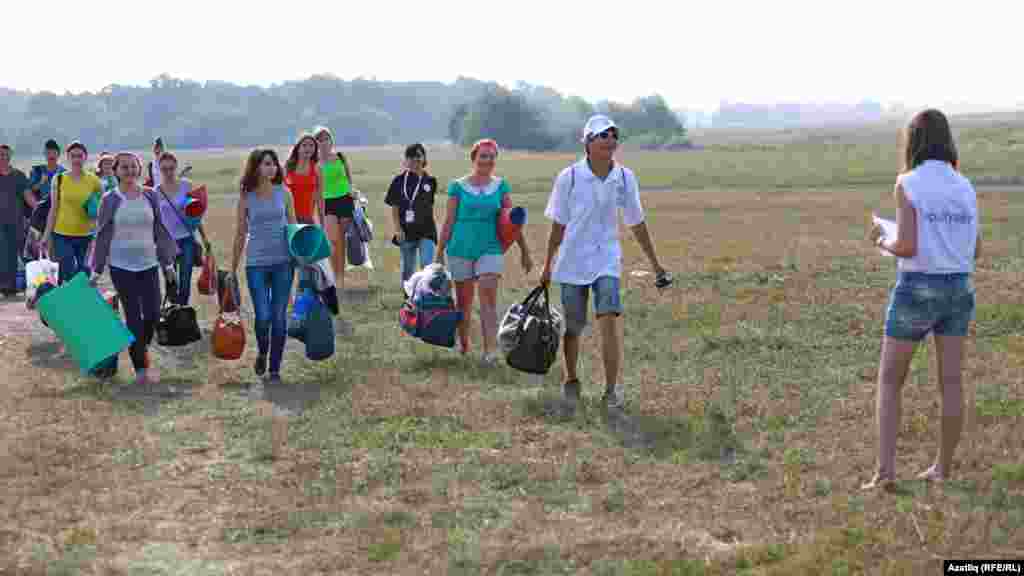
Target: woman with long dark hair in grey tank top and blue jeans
<point>265,212</point>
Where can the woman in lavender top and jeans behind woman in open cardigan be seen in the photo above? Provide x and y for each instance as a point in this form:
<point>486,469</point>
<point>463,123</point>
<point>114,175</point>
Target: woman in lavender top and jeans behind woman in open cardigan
<point>174,195</point>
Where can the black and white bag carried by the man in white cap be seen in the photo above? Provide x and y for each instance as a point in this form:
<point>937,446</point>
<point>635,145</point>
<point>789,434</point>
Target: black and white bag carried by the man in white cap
<point>530,334</point>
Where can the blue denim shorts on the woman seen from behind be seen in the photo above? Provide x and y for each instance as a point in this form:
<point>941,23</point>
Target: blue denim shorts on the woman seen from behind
<point>942,304</point>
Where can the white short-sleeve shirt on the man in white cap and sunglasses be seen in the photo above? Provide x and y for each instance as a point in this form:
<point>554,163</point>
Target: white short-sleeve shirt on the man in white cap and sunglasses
<point>588,208</point>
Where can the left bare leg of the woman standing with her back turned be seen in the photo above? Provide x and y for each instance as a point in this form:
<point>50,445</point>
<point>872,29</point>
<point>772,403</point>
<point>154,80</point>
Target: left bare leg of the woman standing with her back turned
<point>897,356</point>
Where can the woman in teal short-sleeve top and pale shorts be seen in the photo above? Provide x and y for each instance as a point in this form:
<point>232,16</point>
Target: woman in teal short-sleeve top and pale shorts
<point>471,239</point>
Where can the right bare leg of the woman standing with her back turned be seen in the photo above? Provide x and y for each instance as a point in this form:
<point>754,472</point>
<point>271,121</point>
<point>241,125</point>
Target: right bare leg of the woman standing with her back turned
<point>951,361</point>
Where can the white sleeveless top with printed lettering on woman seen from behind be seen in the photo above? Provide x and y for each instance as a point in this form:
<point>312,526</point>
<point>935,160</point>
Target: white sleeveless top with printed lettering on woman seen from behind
<point>948,219</point>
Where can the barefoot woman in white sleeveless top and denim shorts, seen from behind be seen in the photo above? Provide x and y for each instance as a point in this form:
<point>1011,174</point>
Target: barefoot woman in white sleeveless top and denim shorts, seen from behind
<point>936,244</point>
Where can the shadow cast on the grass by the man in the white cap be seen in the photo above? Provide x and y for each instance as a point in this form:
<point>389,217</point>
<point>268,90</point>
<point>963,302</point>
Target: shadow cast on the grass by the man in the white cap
<point>709,438</point>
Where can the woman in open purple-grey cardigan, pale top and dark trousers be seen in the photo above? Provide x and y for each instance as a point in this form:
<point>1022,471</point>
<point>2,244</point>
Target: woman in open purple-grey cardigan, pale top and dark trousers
<point>134,240</point>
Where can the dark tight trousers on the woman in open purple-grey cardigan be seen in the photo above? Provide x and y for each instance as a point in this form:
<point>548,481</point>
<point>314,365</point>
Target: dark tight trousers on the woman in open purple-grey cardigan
<point>140,295</point>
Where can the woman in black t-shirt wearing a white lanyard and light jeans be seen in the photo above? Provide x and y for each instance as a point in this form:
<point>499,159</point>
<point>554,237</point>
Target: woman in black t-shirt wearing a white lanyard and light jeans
<point>411,197</point>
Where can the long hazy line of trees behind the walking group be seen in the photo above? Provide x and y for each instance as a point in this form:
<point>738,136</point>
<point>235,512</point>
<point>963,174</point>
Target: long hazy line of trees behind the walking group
<point>194,115</point>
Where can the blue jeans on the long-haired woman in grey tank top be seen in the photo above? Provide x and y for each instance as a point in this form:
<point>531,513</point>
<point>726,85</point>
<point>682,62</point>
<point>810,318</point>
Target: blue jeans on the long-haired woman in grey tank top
<point>270,289</point>
